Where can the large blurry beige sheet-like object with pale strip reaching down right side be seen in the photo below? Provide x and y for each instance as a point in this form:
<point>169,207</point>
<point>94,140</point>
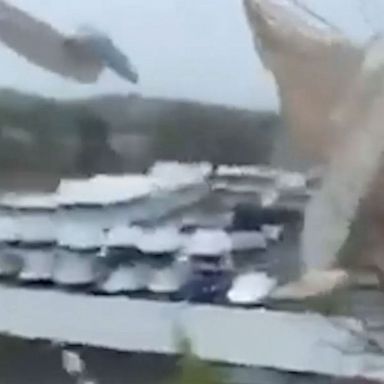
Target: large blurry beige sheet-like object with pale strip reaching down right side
<point>332,96</point>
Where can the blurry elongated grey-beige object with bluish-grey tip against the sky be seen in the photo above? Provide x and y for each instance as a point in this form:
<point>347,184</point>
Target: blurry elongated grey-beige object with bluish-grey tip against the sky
<point>81,57</point>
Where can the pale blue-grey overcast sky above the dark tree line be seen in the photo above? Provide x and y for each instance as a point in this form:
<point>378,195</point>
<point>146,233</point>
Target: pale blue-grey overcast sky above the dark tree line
<point>191,49</point>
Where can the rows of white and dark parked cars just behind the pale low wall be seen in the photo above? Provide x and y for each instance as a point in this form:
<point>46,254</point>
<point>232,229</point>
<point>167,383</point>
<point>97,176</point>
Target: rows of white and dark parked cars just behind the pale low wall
<point>168,262</point>
